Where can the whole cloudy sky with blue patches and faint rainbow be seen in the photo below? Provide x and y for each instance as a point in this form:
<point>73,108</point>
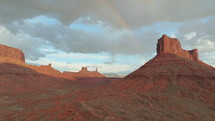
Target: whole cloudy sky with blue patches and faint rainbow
<point>116,36</point>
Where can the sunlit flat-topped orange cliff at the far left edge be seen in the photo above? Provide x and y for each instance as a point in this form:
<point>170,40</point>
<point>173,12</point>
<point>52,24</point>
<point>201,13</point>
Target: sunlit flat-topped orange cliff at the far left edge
<point>12,53</point>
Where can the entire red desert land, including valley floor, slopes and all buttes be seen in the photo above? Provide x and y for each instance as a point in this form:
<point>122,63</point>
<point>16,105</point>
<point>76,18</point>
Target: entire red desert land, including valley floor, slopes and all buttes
<point>175,85</point>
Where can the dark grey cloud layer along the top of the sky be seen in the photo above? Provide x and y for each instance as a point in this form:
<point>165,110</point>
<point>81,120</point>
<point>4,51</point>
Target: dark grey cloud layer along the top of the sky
<point>134,13</point>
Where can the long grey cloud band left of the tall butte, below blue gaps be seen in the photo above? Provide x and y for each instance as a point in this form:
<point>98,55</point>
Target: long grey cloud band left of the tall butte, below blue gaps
<point>68,39</point>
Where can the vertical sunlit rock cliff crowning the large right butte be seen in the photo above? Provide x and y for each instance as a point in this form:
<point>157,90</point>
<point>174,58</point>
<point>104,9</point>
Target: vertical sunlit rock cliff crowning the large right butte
<point>167,45</point>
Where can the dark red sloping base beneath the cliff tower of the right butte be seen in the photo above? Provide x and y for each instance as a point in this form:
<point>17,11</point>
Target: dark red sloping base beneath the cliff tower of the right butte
<point>167,71</point>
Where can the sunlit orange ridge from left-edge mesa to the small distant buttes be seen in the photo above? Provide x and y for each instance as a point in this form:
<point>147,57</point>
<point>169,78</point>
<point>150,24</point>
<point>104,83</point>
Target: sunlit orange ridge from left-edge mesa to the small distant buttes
<point>16,56</point>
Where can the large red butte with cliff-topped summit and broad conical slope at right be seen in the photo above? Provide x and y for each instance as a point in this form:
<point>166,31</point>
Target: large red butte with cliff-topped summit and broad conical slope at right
<point>172,67</point>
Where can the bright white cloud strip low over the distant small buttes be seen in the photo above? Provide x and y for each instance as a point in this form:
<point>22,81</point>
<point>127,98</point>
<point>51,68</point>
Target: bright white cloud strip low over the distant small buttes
<point>74,61</point>
